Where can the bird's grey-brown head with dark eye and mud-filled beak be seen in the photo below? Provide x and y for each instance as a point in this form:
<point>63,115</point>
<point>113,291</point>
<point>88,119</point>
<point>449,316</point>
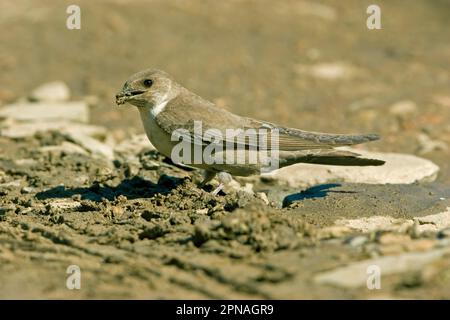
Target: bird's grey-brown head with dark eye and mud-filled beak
<point>147,88</point>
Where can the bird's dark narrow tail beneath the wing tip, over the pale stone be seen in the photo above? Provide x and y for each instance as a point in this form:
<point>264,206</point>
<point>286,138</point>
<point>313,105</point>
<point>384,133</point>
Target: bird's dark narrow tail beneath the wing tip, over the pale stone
<point>326,156</point>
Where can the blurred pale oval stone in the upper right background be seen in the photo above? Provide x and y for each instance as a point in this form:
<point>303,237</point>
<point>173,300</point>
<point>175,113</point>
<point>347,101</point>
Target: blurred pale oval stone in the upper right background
<point>328,71</point>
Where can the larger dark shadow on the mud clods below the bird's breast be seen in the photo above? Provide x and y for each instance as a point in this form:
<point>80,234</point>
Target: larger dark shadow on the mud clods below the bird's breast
<point>133,188</point>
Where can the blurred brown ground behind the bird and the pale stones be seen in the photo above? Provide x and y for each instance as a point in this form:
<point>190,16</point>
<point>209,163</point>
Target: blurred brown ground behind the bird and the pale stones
<point>307,64</point>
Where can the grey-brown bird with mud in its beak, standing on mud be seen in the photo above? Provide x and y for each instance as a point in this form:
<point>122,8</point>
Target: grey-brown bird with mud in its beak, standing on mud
<point>171,116</point>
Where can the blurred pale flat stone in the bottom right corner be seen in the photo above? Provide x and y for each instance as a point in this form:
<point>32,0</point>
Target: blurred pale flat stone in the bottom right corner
<point>357,274</point>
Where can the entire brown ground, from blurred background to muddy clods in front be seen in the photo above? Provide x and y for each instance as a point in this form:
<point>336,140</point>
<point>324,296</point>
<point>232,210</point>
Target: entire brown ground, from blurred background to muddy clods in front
<point>143,229</point>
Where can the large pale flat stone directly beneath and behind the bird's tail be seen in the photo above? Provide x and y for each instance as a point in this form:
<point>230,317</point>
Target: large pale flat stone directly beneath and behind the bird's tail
<point>398,169</point>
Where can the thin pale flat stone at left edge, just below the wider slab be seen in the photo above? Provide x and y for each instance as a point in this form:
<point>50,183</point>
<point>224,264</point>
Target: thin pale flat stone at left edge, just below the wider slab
<point>23,130</point>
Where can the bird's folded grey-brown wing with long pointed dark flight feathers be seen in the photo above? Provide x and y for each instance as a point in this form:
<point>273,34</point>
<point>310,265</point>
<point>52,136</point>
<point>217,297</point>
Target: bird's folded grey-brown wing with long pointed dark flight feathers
<point>206,123</point>
